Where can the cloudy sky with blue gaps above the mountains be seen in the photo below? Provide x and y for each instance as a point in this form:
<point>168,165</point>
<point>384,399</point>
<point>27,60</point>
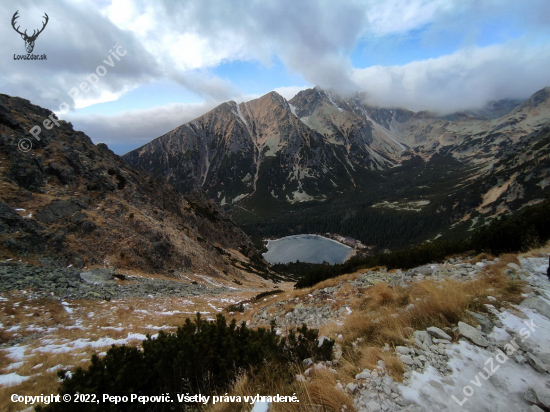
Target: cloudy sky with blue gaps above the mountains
<point>182,58</point>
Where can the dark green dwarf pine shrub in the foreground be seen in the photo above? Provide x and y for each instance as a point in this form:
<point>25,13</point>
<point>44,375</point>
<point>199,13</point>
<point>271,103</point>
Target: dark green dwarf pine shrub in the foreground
<point>201,357</point>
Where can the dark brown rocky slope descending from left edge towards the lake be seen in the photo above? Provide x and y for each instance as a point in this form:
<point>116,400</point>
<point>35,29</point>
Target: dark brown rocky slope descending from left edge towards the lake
<point>70,202</point>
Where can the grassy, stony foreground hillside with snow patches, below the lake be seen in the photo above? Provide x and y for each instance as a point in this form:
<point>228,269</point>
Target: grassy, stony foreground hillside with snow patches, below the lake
<point>404,341</point>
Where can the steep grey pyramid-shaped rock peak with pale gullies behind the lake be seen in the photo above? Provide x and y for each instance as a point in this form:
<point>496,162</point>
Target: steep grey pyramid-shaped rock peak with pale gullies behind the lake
<point>236,150</point>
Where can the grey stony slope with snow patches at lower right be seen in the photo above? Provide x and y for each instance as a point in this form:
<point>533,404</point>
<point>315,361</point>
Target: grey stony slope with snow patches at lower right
<point>438,363</point>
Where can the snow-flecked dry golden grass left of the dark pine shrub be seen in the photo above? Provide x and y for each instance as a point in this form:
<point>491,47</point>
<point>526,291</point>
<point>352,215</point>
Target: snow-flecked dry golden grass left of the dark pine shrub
<point>91,320</point>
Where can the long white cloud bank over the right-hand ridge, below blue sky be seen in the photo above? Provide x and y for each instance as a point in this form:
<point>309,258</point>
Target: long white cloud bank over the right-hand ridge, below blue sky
<point>466,79</point>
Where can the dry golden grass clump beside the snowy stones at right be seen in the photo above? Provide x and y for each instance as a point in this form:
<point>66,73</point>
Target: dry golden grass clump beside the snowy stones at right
<point>383,316</point>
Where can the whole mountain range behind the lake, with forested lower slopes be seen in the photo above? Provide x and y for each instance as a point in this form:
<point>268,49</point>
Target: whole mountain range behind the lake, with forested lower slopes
<point>387,176</point>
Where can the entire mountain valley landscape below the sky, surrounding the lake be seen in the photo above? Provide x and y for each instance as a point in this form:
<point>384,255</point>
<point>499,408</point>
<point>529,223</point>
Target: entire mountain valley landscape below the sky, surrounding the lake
<point>101,262</point>
